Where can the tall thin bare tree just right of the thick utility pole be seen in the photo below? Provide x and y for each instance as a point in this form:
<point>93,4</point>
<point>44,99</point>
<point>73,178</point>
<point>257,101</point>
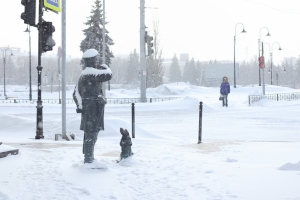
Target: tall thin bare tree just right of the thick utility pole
<point>154,67</point>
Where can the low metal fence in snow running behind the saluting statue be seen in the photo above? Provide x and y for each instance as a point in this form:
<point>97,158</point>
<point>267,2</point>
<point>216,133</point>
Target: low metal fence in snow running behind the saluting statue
<point>109,100</point>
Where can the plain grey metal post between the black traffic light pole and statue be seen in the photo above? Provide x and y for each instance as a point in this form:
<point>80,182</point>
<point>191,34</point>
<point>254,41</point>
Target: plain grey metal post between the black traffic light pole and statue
<point>63,39</point>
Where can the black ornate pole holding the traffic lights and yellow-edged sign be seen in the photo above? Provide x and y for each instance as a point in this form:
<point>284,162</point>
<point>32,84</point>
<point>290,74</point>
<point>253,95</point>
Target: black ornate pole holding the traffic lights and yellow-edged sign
<point>39,107</point>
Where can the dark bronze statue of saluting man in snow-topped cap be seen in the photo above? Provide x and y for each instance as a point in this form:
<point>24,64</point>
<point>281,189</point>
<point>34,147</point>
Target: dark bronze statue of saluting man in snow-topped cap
<point>88,96</point>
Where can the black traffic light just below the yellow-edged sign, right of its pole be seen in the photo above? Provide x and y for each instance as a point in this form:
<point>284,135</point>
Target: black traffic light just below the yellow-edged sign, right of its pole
<point>47,42</point>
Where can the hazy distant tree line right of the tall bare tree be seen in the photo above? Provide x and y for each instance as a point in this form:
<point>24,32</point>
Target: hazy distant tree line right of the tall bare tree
<point>285,74</point>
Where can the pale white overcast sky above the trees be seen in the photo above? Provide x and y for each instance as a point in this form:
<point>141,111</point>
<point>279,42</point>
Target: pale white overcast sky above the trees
<point>204,29</point>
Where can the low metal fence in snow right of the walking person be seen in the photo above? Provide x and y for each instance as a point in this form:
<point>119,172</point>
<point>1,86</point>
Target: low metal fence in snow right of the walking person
<point>275,97</point>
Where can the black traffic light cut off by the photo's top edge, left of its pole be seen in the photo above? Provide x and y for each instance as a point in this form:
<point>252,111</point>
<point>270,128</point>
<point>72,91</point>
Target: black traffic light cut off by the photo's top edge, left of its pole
<point>29,12</point>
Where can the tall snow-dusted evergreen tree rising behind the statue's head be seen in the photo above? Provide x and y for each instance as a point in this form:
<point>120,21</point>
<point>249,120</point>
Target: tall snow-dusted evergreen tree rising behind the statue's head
<point>93,34</point>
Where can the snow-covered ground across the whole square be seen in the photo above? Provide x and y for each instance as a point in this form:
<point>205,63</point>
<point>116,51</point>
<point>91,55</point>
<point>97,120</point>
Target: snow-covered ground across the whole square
<point>247,152</point>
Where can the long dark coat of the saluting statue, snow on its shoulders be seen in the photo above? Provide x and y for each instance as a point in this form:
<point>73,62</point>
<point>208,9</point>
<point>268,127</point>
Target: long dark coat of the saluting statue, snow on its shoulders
<point>88,98</point>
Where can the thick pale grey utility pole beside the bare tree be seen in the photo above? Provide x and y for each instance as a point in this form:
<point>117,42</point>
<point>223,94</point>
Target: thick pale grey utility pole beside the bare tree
<point>142,51</point>
